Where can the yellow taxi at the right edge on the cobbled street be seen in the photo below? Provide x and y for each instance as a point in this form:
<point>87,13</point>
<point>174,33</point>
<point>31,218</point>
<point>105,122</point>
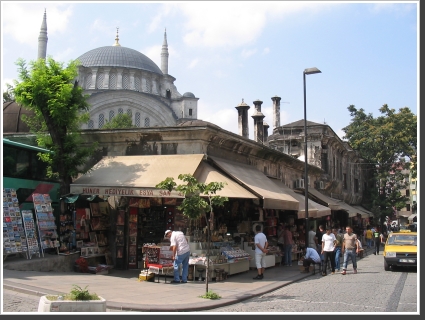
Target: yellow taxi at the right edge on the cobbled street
<point>401,249</point>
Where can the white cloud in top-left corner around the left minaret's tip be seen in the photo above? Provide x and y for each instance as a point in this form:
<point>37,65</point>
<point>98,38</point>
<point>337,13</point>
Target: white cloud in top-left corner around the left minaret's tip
<point>16,17</point>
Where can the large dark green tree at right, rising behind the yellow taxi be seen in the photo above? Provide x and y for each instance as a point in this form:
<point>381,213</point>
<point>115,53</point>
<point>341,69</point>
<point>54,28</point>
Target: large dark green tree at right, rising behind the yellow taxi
<point>388,144</point>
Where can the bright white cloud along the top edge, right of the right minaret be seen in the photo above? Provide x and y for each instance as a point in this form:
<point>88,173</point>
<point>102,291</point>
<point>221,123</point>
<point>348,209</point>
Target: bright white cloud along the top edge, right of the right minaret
<point>233,23</point>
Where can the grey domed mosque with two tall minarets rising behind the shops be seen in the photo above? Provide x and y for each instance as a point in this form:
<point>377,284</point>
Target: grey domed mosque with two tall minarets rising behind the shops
<point>122,80</point>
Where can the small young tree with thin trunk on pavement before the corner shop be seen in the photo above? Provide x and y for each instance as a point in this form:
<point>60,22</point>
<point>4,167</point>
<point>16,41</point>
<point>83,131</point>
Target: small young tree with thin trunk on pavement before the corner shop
<point>200,198</point>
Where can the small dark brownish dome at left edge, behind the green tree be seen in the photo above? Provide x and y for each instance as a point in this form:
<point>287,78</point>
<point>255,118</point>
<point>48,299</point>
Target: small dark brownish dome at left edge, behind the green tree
<point>12,121</point>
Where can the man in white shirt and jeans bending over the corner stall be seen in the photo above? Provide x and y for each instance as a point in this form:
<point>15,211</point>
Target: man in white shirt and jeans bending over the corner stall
<point>181,253</point>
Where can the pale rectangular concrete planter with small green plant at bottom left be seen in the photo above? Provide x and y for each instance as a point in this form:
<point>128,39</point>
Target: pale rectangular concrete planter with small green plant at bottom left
<point>77,300</point>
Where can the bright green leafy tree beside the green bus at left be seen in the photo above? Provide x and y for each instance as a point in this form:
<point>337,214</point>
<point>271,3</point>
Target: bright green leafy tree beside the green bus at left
<point>50,90</point>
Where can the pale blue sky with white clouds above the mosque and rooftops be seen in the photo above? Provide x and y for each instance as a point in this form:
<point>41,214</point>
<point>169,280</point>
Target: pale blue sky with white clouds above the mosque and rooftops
<point>225,52</point>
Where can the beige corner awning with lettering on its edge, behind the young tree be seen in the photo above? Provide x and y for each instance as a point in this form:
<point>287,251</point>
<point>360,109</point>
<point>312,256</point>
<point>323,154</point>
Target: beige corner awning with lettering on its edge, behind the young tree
<point>137,176</point>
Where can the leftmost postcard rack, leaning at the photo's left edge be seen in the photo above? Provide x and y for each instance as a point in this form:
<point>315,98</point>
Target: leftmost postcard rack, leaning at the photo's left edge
<point>14,239</point>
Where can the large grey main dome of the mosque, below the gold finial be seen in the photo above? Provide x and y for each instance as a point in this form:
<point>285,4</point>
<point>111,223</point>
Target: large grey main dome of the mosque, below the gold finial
<point>118,57</point>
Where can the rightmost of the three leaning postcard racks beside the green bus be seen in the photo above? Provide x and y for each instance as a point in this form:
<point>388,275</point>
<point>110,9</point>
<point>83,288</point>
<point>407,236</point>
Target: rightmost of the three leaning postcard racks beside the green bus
<point>47,229</point>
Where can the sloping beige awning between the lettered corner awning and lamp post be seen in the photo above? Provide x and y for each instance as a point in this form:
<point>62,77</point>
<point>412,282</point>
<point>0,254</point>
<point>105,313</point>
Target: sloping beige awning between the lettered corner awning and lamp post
<point>258,183</point>
